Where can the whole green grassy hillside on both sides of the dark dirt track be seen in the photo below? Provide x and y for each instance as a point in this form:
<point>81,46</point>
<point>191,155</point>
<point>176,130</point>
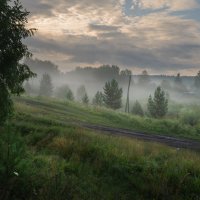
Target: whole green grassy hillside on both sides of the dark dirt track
<point>45,154</point>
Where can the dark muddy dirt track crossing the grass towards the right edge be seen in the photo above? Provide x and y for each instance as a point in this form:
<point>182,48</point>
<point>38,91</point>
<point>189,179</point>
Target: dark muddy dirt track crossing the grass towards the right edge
<point>170,141</point>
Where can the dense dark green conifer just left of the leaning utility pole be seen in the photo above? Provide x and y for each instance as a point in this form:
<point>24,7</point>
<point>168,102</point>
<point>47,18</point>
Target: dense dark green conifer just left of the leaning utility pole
<point>112,95</point>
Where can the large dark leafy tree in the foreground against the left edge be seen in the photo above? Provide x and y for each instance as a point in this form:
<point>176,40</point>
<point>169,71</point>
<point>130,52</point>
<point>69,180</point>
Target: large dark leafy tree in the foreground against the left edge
<point>13,31</point>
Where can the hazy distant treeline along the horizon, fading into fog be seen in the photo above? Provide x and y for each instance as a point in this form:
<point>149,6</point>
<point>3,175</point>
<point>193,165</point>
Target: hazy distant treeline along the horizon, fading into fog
<point>105,73</point>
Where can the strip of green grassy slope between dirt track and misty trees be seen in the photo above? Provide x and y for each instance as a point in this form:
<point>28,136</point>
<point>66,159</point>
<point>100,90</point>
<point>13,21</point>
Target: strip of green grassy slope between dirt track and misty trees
<point>66,112</point>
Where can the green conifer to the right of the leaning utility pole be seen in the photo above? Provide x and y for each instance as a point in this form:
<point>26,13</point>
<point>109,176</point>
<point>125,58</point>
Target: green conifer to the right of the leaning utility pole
<point>158,106</point>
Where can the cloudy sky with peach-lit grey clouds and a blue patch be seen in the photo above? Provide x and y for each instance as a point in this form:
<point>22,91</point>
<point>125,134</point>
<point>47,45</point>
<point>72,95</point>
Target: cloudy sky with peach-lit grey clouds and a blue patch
<point>162,36</point>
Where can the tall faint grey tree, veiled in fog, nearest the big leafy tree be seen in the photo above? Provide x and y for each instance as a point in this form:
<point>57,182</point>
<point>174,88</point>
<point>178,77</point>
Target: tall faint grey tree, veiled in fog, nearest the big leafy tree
<point>46,87</point>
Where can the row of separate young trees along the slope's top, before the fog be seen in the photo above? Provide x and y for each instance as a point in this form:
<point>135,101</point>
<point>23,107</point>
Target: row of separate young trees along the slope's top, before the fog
<point>110,96</point>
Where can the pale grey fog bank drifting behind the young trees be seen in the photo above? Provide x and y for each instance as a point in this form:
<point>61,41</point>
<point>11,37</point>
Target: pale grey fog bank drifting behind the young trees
<point>178,89</point>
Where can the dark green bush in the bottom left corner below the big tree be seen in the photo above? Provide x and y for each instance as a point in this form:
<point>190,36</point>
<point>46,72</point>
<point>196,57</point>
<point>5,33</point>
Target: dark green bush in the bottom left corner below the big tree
<point>12,153</point>
